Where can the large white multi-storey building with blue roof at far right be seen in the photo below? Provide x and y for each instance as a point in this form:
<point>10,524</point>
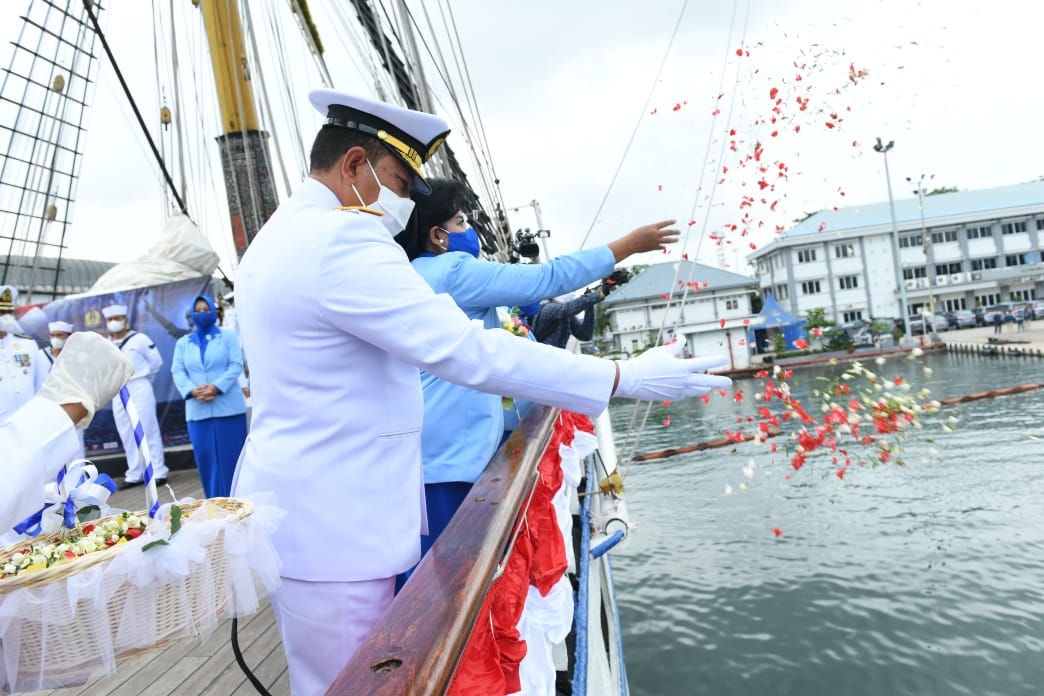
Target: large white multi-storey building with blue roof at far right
<point>964,250</point>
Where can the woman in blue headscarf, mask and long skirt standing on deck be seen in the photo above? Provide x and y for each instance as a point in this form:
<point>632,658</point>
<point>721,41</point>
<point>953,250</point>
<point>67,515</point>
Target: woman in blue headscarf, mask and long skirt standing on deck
<point>206,367</point>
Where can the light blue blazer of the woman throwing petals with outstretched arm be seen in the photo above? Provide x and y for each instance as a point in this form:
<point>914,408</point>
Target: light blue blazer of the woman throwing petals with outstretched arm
<point>463,427</point>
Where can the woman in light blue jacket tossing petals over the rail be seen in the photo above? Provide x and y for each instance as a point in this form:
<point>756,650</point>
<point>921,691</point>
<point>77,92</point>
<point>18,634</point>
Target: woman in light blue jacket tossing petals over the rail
<point>464,427</point>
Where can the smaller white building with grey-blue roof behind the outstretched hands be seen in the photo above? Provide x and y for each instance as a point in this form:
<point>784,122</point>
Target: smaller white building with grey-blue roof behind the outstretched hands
<point>711,307</point>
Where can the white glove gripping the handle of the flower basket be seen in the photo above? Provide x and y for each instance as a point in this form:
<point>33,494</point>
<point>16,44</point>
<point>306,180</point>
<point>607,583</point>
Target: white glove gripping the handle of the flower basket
<point>90,371</point>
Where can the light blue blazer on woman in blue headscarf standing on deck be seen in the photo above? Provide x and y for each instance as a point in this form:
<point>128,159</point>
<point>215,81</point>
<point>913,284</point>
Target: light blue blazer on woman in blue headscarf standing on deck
<point>222,368</point>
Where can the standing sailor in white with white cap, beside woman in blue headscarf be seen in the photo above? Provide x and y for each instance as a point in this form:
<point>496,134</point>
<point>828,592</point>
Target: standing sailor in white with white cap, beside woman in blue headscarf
<point>147,362</point>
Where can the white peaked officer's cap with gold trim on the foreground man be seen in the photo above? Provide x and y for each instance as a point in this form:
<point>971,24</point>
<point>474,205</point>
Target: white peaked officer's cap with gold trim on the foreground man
<point>414,137</point>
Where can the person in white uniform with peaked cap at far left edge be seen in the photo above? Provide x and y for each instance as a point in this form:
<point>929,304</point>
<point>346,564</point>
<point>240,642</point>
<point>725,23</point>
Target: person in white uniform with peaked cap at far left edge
<point>23,366</point>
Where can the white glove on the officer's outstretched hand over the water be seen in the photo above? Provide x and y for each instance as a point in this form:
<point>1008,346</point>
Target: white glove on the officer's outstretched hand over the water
<point>660,375</point>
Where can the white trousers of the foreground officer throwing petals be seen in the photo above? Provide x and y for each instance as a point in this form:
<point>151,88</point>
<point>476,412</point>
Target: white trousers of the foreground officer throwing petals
<point>323,625</point>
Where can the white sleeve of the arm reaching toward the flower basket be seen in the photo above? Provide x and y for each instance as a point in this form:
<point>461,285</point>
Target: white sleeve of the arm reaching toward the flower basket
<point>36,442</point>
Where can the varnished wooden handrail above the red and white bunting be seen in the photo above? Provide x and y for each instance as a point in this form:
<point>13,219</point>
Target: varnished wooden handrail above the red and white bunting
<point>416,647</point>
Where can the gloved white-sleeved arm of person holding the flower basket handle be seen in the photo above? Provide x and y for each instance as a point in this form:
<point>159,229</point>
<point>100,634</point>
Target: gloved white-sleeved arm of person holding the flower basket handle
<point>39,438</point>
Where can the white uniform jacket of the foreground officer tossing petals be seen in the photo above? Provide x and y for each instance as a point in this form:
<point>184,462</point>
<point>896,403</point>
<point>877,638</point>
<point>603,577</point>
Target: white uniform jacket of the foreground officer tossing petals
<point>337,324</point>
